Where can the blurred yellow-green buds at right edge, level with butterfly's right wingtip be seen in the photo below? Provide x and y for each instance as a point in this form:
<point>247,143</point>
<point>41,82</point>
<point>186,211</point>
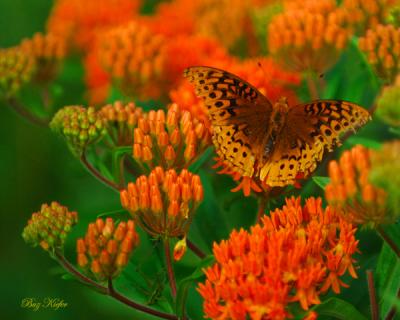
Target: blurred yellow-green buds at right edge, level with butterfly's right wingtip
<point>389,104</point>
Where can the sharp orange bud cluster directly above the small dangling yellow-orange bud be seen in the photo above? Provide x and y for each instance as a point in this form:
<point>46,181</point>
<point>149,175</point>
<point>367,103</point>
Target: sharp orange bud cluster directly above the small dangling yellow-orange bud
<point>163,204</point>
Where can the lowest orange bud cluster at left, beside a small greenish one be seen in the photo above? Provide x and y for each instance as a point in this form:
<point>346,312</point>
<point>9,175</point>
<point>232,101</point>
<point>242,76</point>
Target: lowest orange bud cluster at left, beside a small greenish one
<point>106,247</point>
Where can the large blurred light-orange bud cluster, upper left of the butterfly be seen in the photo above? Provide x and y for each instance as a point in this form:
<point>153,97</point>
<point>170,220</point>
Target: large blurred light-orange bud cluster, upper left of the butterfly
<point>132,54</point>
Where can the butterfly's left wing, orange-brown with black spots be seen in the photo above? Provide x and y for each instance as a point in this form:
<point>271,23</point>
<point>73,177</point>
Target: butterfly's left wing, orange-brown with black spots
<point>239,115</point>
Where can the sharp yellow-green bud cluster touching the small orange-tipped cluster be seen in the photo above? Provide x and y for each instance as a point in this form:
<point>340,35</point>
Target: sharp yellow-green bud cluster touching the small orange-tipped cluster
<point>79,126</point>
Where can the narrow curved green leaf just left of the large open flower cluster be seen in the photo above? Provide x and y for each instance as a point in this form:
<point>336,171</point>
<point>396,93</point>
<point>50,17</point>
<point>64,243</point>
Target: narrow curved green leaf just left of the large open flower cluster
<point>186,283</point>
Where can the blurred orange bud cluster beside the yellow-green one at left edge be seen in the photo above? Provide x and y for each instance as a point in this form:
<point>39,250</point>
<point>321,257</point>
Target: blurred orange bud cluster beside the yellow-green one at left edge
<point>48,50</point>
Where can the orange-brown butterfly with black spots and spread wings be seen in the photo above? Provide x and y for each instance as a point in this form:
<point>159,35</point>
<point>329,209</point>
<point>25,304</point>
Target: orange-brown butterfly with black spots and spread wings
<point>275,143</point>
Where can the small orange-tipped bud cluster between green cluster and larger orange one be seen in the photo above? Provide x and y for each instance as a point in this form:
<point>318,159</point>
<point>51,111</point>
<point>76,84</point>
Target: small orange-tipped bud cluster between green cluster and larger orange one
<point>121,119</point>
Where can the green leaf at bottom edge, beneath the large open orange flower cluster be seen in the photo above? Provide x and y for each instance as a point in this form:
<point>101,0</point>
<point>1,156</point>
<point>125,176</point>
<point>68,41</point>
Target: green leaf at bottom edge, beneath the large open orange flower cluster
<point>338,309</point>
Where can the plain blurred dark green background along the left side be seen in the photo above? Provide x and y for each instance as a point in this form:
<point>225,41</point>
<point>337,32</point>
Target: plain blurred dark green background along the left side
<point>36,167</point>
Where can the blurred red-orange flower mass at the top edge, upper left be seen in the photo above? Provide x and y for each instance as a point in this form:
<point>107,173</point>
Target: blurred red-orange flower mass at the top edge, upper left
<point>78,22</point>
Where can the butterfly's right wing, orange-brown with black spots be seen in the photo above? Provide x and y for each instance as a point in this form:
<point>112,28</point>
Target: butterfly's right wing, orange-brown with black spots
<point>310,129</point>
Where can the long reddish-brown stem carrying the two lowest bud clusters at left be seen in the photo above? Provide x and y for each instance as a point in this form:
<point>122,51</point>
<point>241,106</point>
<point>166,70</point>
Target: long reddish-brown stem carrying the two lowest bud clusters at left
<point>109,290</point>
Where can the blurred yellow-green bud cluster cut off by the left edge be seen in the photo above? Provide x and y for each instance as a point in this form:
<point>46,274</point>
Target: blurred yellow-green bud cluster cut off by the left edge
<point>16,69</point>
